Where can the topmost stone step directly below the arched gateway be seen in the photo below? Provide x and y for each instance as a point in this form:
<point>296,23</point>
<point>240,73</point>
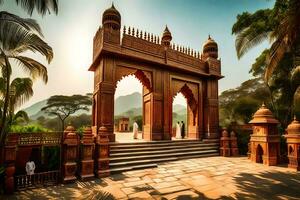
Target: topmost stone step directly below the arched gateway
<point>158,145</point>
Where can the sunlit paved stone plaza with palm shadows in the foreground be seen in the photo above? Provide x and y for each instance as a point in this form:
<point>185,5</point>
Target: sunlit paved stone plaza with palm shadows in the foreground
<point>202,178</point>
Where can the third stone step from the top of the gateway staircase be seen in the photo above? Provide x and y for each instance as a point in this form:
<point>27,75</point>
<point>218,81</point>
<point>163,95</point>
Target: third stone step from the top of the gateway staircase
<point>162,151</point>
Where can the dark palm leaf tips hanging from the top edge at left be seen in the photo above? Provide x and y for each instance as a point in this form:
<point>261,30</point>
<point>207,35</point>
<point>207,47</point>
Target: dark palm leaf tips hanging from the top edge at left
<point>41,6</point>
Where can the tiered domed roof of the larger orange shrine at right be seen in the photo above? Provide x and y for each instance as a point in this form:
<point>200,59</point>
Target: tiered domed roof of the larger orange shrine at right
<point>263,115</point>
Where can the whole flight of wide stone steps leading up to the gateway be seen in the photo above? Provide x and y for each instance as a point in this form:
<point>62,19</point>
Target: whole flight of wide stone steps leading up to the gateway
<point>140,155</point>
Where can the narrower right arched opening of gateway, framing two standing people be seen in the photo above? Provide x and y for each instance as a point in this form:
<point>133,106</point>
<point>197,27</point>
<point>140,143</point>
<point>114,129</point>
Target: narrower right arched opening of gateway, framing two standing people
<point>179,117</point>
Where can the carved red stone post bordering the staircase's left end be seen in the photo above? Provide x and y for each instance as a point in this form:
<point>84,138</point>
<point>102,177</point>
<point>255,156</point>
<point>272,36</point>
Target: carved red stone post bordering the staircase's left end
<point>102,152</point>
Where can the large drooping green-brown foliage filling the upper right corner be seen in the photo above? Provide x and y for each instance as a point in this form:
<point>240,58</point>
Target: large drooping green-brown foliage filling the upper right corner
<point>281,25</point>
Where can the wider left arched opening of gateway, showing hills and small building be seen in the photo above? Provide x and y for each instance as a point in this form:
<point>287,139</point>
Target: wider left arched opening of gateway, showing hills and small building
<point>128,108</point>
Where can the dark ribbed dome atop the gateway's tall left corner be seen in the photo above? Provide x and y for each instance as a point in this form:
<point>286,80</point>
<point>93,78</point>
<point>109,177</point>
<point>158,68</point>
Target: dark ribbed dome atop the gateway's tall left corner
<point>111,18</point>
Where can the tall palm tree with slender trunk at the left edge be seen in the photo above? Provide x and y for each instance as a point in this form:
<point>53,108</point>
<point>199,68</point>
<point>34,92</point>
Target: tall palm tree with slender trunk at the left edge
<point>15,40</point>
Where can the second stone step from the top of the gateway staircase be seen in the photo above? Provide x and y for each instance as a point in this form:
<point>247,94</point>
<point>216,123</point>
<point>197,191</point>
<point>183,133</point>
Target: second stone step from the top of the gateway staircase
<point>151,148</point>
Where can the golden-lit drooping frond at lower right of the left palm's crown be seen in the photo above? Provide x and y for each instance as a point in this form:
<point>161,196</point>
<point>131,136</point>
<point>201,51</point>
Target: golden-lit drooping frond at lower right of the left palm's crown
<point>33,67</point>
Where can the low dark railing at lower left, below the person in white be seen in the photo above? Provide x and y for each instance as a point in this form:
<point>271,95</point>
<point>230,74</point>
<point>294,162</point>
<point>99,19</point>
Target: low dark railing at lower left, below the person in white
<point>37,180</point>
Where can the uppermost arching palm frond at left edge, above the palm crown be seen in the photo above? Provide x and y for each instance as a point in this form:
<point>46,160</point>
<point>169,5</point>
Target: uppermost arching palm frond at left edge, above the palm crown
<point>26,23</point>
